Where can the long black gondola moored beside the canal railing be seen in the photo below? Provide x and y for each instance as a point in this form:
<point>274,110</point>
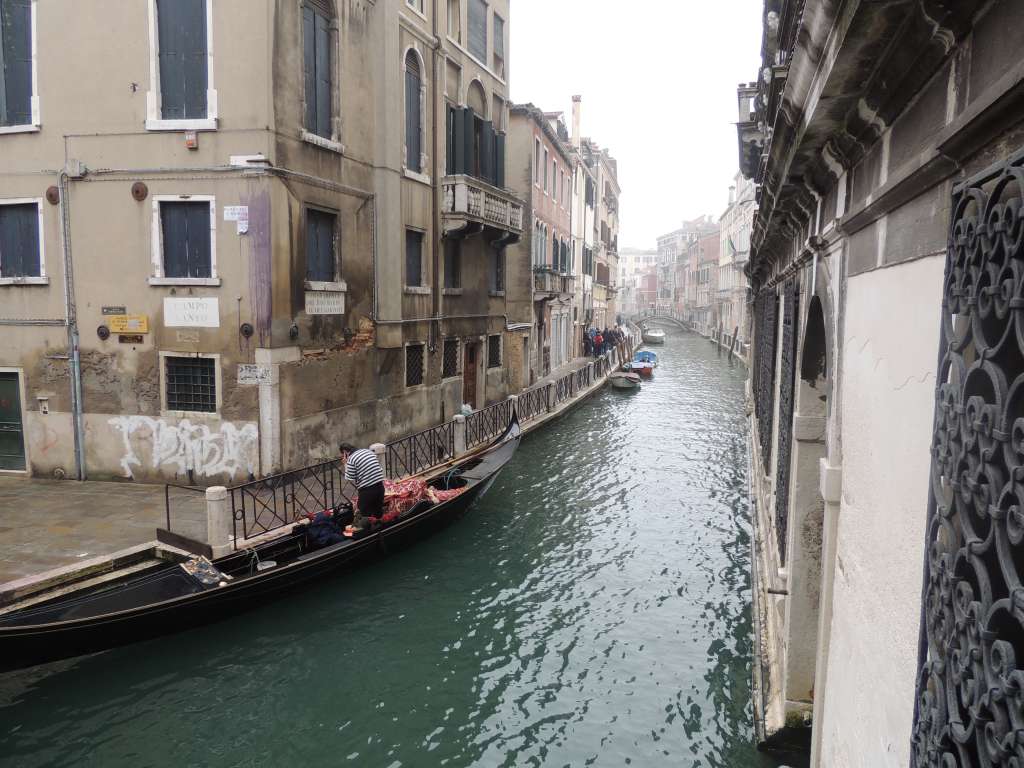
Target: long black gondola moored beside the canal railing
<point>179,596</point>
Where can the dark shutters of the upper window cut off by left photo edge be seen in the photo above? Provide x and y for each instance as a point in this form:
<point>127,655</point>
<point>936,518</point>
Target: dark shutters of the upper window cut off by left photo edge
<point>16,63</point>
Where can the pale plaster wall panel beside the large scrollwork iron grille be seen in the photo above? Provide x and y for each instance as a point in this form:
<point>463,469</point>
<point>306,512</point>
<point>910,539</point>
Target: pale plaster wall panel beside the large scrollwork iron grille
<point>888,380</point>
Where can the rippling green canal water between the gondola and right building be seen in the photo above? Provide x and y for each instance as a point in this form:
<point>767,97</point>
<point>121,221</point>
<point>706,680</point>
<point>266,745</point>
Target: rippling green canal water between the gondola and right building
<point>593,610</point>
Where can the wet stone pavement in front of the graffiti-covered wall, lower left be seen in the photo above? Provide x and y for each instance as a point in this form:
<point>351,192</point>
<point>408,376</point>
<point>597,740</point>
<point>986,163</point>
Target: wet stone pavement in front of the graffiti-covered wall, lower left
<point>50,524</point>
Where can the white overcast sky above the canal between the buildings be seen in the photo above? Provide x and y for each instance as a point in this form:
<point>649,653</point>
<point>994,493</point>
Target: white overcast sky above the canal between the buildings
<point>659,84</point>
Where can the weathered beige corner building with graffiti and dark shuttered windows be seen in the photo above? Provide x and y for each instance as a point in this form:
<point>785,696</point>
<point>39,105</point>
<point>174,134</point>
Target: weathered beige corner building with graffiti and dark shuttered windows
<point>293,236</point>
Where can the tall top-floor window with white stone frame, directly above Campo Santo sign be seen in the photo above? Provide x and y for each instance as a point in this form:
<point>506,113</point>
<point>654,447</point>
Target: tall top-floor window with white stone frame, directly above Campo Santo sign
<point>182,66</point>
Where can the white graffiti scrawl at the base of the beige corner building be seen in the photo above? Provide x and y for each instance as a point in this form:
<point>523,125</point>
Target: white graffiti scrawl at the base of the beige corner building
<point>184,446</point>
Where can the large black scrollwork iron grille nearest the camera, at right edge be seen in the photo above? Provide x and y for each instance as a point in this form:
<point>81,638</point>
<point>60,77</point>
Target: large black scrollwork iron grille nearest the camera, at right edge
<point>970,703</point>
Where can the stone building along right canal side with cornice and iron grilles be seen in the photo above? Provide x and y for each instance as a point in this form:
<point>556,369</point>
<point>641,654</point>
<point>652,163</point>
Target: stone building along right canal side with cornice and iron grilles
<point>886,142</point>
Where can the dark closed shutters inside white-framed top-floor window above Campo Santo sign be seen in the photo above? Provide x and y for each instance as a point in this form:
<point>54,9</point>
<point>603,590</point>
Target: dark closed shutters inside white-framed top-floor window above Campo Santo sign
<point>182,40</point>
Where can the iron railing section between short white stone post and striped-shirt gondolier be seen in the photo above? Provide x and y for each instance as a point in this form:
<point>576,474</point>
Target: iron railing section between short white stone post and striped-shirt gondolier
<point>263,506</point>
